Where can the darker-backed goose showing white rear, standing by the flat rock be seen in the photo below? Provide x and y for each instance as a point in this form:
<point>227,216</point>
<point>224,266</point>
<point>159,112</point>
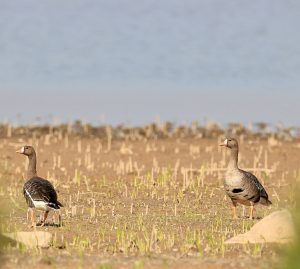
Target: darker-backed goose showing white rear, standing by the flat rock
<point>38,192</point>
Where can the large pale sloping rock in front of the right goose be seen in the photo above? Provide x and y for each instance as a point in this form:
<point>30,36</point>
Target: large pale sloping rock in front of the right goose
<point>277,227</point>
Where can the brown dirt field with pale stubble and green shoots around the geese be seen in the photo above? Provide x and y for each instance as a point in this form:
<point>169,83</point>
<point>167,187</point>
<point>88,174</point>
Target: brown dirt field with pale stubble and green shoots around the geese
<point>144,204</point>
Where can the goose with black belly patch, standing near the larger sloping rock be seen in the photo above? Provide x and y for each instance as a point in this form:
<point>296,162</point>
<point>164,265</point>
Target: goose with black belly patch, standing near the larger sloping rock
<point>241,186</point>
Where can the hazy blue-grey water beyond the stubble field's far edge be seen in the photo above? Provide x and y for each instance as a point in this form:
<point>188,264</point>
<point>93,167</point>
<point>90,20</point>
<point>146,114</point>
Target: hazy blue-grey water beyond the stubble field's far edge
<point>133,62</point>
